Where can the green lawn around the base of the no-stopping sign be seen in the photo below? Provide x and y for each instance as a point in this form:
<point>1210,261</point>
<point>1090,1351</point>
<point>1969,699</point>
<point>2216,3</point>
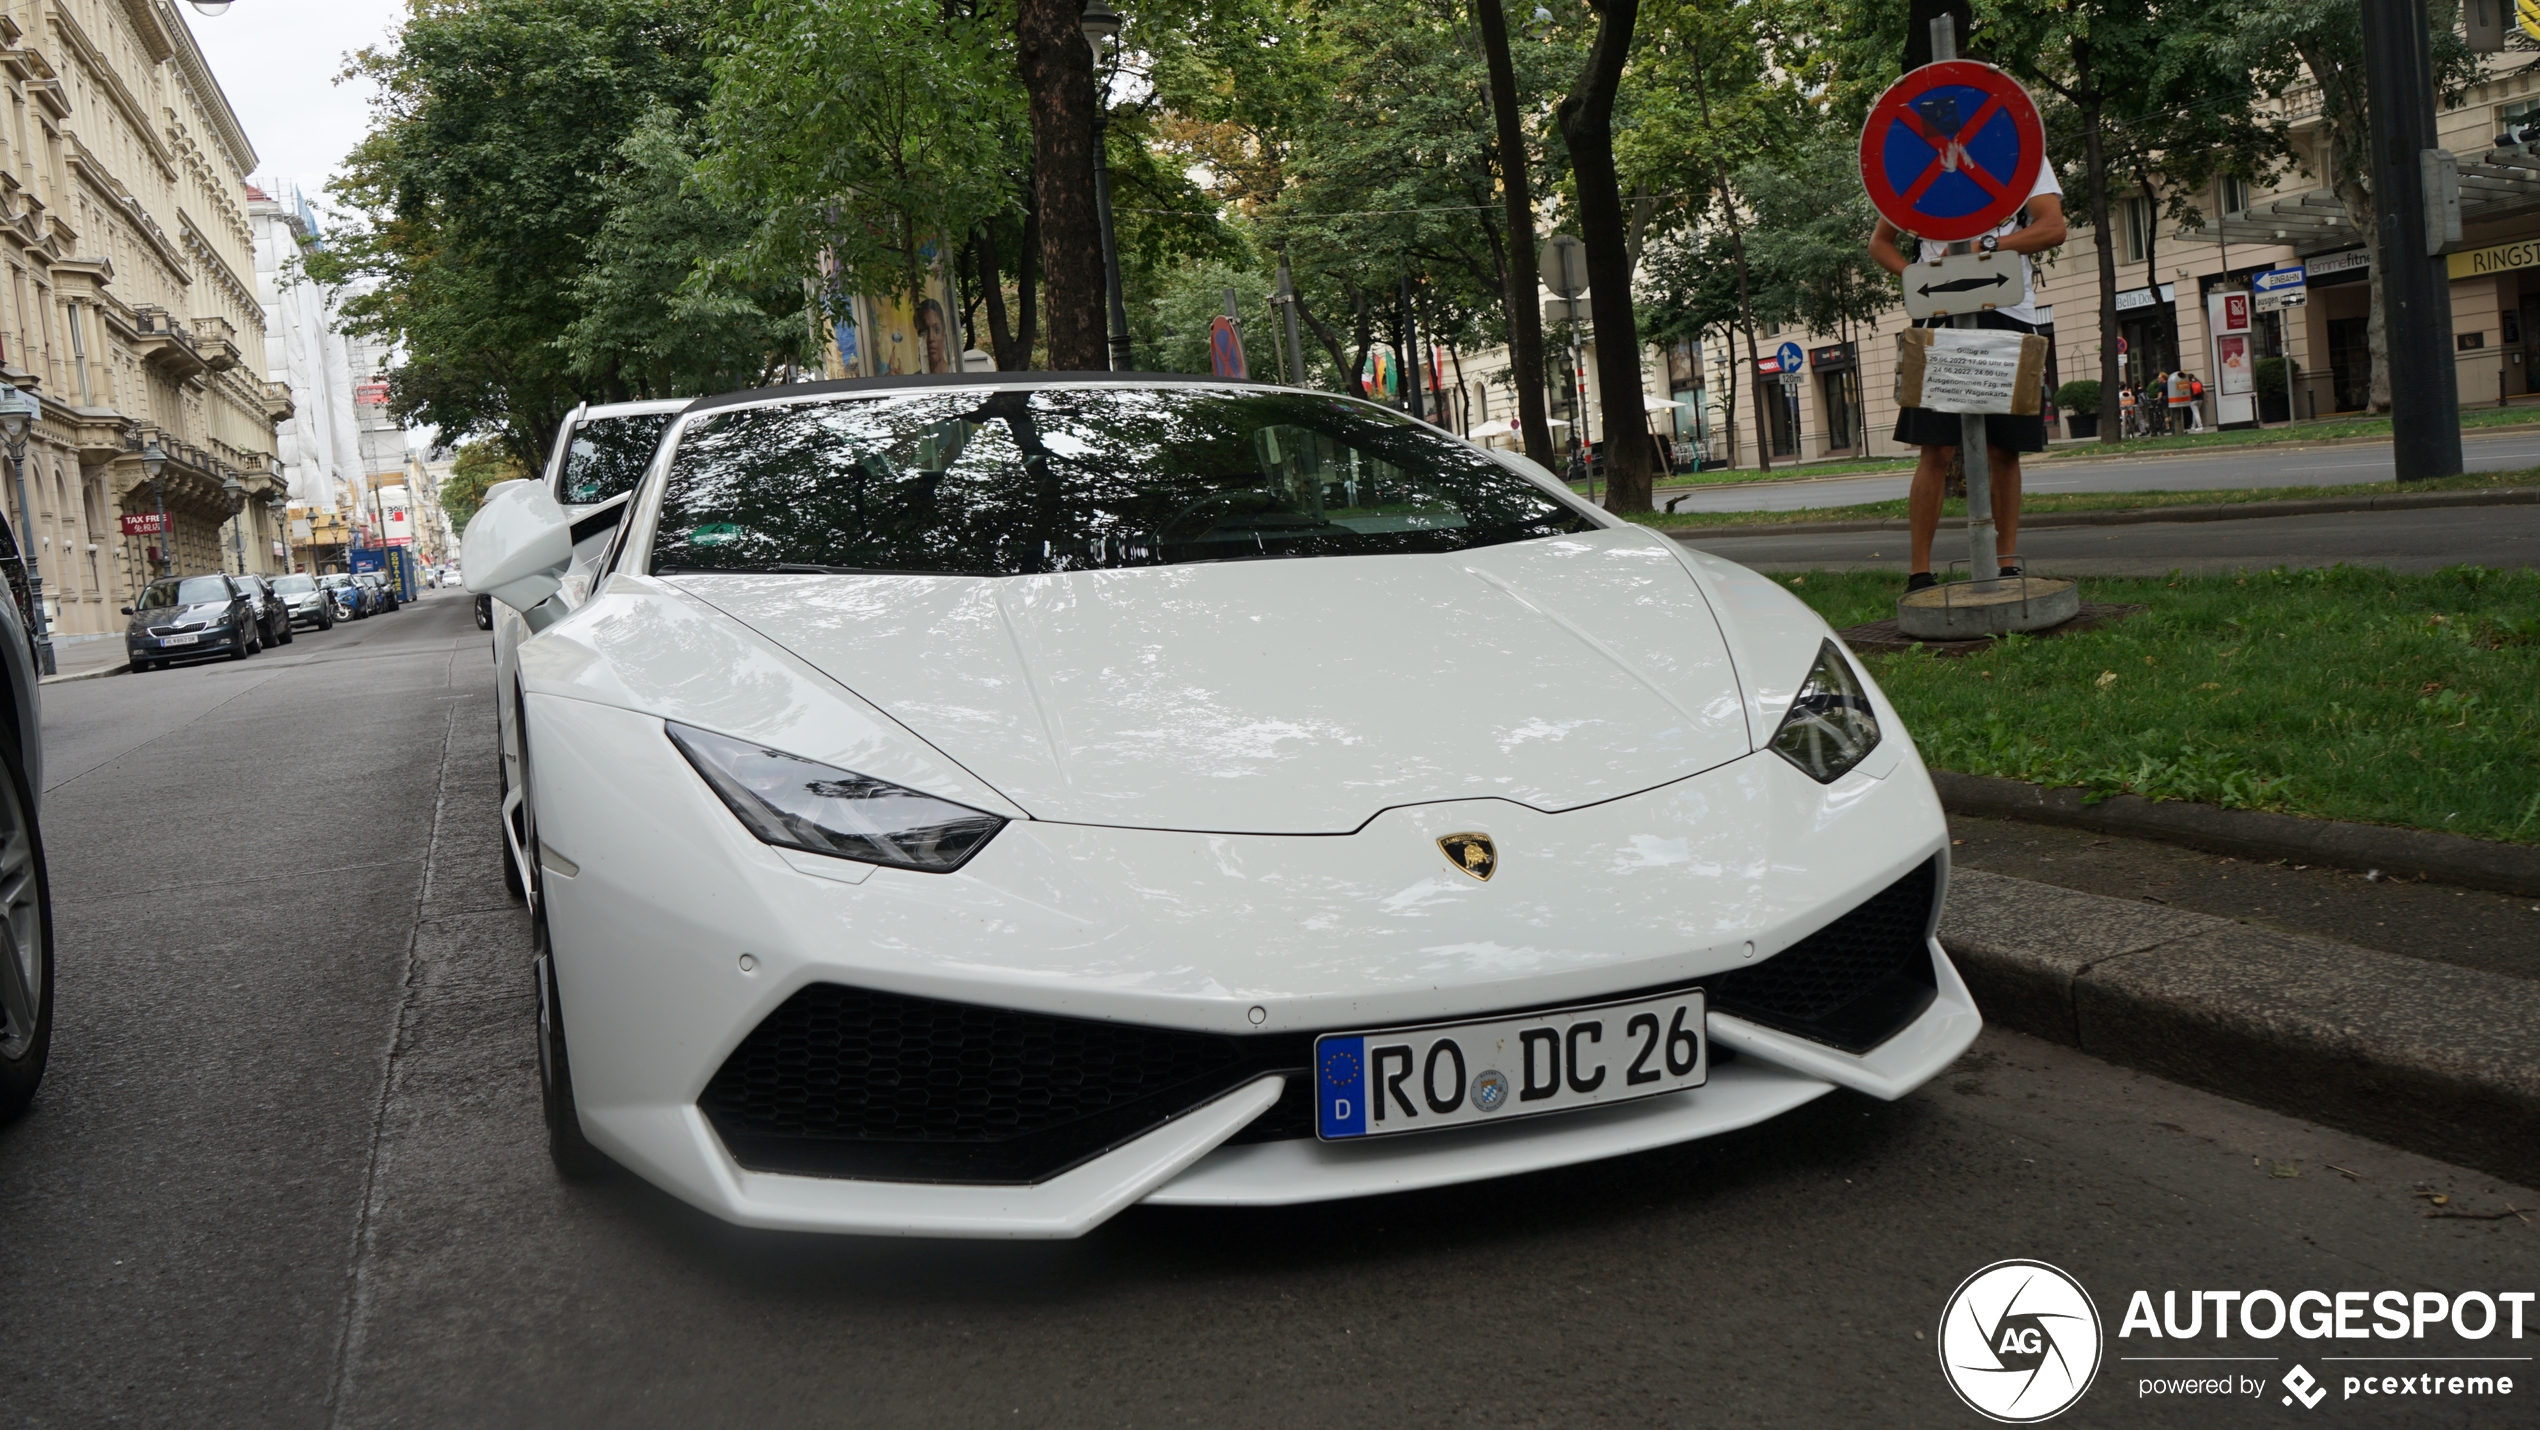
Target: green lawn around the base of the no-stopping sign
<point>2351,695</point>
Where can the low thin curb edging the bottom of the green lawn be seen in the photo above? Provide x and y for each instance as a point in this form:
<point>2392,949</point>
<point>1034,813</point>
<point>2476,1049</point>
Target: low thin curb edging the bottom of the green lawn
<point>2254,834</point>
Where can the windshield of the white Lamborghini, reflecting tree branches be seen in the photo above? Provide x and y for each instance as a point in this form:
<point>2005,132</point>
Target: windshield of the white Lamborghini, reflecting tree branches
<point>997,484</point>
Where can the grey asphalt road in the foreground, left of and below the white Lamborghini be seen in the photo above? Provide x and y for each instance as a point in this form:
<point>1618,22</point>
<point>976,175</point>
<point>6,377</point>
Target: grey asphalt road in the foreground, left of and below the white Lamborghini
<point>291,1172</point>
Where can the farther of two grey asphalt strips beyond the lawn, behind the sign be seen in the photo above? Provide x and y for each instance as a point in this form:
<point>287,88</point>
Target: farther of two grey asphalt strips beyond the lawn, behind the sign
<point>2287,466</point>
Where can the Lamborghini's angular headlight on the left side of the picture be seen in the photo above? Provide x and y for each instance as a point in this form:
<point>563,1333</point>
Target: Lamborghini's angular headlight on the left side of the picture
<point>819,809</point>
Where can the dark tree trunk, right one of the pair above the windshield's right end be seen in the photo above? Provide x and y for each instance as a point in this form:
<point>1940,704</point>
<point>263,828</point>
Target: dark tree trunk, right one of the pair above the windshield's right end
<point>1586,118</point>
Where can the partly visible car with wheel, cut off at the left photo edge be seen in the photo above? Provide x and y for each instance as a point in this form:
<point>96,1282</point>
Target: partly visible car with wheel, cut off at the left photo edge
<point>27,903</point>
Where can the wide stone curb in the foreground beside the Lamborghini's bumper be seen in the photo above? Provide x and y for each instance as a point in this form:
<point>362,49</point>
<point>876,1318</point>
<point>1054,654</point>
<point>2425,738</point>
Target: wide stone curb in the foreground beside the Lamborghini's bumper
<point>2419,1055</point>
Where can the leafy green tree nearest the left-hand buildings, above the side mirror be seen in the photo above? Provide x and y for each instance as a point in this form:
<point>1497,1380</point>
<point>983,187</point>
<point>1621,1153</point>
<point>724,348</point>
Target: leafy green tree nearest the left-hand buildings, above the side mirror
<point>481,187</point>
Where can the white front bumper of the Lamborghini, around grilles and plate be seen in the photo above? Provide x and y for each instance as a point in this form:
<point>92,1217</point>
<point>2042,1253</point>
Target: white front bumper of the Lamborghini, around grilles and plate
<point>657,895</point>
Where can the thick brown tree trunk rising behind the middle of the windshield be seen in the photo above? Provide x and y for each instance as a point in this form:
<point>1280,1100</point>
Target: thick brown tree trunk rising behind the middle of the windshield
<point>1060,77</point>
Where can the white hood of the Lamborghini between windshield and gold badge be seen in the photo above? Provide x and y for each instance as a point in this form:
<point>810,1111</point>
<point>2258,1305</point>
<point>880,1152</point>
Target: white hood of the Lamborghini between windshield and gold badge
<point>1287,697</point>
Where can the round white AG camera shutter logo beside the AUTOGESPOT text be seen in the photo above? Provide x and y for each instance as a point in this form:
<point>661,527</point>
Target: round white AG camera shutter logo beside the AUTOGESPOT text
<point>2021,1342</point>
